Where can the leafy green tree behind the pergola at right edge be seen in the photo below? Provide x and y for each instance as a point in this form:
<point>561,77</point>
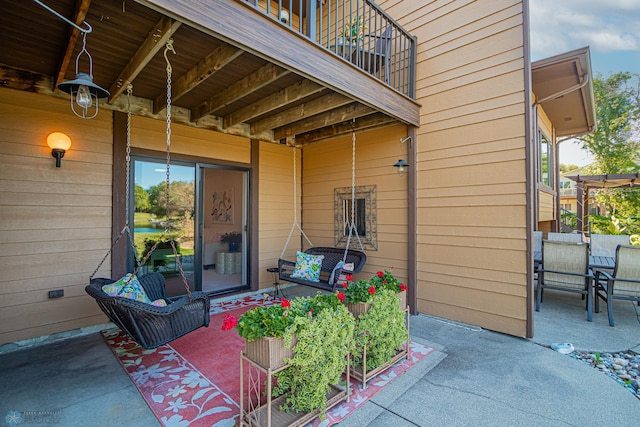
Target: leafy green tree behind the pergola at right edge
<point>615,144</point>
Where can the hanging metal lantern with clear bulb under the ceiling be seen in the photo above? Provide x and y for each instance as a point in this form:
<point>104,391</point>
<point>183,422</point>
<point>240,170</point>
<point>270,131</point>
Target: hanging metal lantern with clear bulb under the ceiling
<point>84,92</point>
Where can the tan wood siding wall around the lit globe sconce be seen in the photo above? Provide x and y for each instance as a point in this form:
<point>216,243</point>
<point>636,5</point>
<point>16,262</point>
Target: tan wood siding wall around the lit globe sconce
<point>55,223</point>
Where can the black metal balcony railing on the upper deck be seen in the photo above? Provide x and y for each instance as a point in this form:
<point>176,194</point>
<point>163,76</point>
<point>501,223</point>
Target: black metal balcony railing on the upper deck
<point>357,31</point>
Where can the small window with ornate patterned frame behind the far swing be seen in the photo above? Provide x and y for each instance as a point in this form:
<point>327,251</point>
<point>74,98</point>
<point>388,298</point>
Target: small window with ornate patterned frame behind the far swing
<point>365,225</point>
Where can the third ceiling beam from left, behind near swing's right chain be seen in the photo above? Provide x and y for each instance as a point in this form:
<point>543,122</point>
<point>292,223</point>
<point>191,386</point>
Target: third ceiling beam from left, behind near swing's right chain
<point>206,68</point>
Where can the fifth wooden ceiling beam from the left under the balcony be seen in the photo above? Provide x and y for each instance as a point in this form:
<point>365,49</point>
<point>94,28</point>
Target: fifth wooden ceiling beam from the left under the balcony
<point>295,92</point>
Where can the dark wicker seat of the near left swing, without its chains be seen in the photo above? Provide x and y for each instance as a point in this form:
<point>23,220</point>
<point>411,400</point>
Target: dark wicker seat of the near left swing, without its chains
<point>148,325</point>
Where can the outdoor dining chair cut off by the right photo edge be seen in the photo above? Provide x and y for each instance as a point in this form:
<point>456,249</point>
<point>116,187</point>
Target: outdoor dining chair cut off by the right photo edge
<point>624,284</point>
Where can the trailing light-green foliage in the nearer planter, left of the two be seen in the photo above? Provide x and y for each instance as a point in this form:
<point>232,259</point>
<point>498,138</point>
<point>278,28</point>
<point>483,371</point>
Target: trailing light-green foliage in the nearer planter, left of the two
<point>318,361</point>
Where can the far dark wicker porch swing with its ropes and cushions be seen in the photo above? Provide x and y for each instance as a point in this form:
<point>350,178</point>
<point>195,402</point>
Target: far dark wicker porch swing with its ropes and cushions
<point>334,262</point>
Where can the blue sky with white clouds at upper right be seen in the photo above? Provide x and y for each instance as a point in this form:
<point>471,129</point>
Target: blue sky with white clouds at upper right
<point>611,29</point>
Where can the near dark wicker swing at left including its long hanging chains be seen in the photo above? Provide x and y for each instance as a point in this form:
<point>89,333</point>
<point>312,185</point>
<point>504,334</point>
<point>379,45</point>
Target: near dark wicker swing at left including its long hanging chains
<point>149,325</point>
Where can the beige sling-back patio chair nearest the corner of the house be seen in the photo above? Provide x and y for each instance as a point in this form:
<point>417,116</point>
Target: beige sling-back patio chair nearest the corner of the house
<point>565,267</point>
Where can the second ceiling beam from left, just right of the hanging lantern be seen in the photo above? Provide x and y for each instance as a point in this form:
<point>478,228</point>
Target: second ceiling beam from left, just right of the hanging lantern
<point>156,40</point>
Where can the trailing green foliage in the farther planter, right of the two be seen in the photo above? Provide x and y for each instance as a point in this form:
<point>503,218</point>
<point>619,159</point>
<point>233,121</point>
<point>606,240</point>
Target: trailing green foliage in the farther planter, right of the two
<point>382,329</point>
